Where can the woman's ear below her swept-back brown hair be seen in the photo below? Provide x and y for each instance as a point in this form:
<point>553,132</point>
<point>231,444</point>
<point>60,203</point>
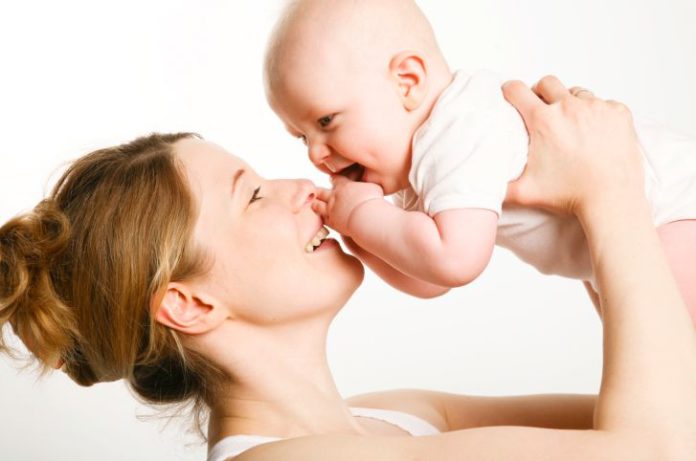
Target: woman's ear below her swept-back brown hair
<point>185,311</point>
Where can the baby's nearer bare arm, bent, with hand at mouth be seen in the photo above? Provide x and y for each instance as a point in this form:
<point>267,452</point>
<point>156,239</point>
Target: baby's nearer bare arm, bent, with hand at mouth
<point>449,250</point>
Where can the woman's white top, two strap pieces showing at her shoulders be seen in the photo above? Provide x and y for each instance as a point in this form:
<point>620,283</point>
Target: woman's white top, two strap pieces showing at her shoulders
<point>232,446</point>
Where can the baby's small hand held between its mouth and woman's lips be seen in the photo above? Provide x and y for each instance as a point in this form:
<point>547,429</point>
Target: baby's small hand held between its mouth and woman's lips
<point>337,205</point>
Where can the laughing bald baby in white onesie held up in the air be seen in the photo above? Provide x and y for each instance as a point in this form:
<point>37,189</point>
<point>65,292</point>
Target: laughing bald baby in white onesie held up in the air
<point>365,86</point>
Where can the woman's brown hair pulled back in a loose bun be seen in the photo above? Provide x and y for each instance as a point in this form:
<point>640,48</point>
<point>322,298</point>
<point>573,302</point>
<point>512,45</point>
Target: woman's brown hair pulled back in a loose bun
<point>81,273</point>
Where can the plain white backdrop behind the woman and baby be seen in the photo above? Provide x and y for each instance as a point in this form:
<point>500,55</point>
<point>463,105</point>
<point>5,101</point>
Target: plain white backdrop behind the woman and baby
<point>78,75</point>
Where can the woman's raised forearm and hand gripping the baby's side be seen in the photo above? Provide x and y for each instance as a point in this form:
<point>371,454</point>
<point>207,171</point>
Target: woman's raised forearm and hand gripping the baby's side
<point>581,161</point>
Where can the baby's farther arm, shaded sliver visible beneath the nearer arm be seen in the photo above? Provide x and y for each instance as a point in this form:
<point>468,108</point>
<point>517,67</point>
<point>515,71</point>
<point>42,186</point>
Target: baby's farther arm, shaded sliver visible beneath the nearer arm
<point>393,277</point>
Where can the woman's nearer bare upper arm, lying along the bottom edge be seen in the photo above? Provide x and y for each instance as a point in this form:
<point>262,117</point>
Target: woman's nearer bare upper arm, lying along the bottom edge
<point>483,444</point>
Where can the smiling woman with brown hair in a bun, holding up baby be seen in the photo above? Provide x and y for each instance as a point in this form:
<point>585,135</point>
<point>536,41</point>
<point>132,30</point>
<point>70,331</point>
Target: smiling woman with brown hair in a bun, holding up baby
<point>171,293</point>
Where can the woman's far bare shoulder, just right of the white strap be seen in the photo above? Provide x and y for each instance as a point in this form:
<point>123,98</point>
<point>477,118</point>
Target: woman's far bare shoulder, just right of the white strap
<point>427,405</point>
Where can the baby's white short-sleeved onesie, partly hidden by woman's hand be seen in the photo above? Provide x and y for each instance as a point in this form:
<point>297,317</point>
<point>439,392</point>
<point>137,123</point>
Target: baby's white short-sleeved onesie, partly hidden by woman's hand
<point>475,142</point>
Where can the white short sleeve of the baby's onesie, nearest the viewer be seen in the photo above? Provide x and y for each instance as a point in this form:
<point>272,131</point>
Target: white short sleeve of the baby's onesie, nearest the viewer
<point>471,146</point>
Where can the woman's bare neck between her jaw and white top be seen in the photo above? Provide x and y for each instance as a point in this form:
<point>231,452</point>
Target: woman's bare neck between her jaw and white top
<point>281,385</point>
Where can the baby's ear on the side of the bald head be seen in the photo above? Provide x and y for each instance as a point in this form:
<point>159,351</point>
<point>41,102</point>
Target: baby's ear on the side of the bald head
<point>409,71</point>
